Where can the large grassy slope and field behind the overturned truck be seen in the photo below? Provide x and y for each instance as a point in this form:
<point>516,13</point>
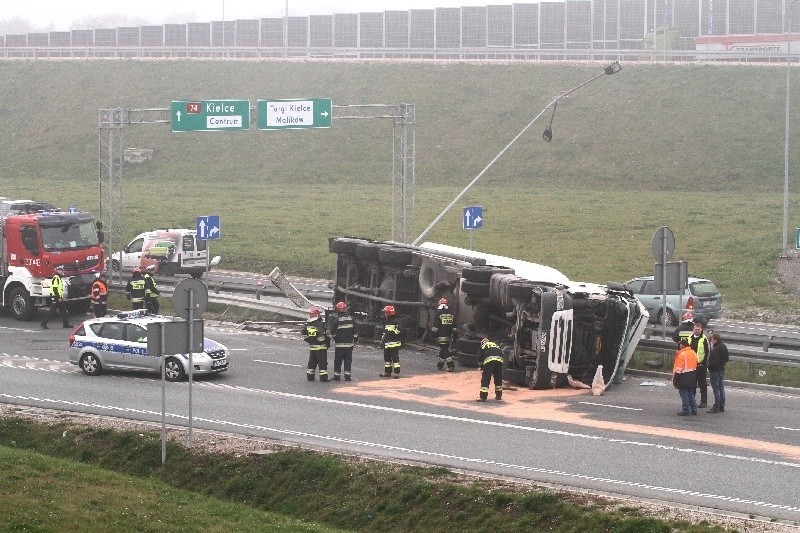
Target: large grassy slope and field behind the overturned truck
<point>698,148</point>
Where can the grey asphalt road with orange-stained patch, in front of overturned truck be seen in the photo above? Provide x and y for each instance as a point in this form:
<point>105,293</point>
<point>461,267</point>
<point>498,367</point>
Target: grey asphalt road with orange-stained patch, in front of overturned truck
<point>628,441</point>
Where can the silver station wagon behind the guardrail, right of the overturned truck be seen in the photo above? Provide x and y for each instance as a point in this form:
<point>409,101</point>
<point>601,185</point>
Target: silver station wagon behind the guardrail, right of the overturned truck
<point>701,298</point>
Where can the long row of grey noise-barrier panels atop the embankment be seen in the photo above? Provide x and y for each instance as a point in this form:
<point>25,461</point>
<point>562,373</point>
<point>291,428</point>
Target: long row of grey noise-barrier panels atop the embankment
<point>519,29</point>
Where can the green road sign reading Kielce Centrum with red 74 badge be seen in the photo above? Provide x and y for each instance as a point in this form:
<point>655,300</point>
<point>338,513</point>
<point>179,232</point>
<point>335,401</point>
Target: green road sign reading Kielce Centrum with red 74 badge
<point>210,115</point>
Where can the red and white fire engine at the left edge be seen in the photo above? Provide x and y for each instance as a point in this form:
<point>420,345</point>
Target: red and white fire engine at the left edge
<point>35,239</point>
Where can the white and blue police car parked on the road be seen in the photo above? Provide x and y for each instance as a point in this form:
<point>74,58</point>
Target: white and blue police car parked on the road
<point>120,343</point>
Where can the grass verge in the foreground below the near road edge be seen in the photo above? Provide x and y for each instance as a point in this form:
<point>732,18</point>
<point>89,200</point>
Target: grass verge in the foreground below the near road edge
<point>67,478</point>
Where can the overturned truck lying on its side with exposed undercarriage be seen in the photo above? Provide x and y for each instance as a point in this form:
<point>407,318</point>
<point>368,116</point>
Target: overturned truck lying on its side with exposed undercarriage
<point>552,330</point>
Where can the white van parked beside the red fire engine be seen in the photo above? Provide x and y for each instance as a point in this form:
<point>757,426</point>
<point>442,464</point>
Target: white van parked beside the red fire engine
<point>168,251</point>
